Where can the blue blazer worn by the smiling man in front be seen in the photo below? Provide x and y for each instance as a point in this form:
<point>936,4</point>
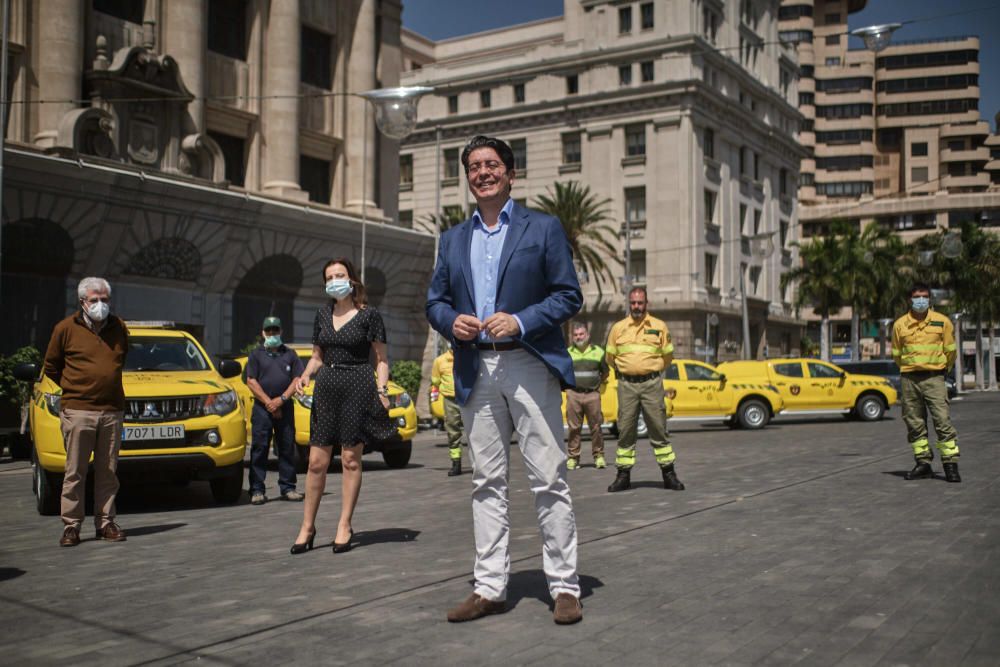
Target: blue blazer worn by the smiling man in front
<point>536,281</point>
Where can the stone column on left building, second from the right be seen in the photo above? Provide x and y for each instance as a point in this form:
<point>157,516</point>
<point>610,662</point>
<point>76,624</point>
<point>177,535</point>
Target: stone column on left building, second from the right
<point>281,115</point>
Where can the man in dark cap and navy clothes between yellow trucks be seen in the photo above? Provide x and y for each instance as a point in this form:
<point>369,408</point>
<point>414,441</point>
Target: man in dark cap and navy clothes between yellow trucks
<point>272,370</point>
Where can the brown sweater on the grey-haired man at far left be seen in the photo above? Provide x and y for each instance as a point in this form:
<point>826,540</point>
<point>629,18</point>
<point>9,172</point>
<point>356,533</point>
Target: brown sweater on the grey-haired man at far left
<point>87,364</point>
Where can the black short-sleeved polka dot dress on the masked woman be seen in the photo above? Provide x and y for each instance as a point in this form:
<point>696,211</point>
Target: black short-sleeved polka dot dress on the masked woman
<point>346,407</point>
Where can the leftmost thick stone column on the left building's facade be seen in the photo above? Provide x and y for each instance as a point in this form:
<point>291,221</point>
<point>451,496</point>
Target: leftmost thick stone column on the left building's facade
<point>60,64</point>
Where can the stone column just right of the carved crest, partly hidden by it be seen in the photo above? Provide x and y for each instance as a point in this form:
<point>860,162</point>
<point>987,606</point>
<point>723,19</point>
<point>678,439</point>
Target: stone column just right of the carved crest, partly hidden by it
<point>185,37</point>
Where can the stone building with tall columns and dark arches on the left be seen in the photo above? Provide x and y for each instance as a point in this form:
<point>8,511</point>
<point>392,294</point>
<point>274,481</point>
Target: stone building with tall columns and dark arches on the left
<point>207,157</point>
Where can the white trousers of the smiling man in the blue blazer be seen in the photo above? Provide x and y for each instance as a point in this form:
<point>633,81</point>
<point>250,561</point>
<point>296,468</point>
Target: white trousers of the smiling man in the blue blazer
<point>516,391</point>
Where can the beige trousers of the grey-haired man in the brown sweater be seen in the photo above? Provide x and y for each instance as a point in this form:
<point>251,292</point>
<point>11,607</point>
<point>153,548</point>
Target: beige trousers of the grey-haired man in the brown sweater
<point>87,432</point>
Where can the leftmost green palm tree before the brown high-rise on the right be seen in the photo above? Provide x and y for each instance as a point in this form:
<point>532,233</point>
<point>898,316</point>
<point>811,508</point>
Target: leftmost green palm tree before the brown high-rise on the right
<point>819,284</point>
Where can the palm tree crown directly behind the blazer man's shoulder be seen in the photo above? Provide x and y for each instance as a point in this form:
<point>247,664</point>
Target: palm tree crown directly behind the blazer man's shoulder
<point>583,218</point>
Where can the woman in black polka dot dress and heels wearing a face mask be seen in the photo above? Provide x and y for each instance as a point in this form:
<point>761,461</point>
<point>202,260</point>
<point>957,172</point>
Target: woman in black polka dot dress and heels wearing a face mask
<point>349,408</point>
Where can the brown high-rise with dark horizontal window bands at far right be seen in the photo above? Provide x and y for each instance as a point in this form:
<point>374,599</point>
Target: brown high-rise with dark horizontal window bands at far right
<point>895,138</point>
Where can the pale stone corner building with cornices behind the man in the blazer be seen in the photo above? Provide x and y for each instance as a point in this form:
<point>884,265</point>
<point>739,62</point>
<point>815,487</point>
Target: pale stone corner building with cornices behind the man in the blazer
<point>682,115</point>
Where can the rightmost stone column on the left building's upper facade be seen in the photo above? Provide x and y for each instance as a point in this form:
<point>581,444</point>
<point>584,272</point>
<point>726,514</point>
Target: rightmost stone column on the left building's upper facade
<point>361,78</point>
